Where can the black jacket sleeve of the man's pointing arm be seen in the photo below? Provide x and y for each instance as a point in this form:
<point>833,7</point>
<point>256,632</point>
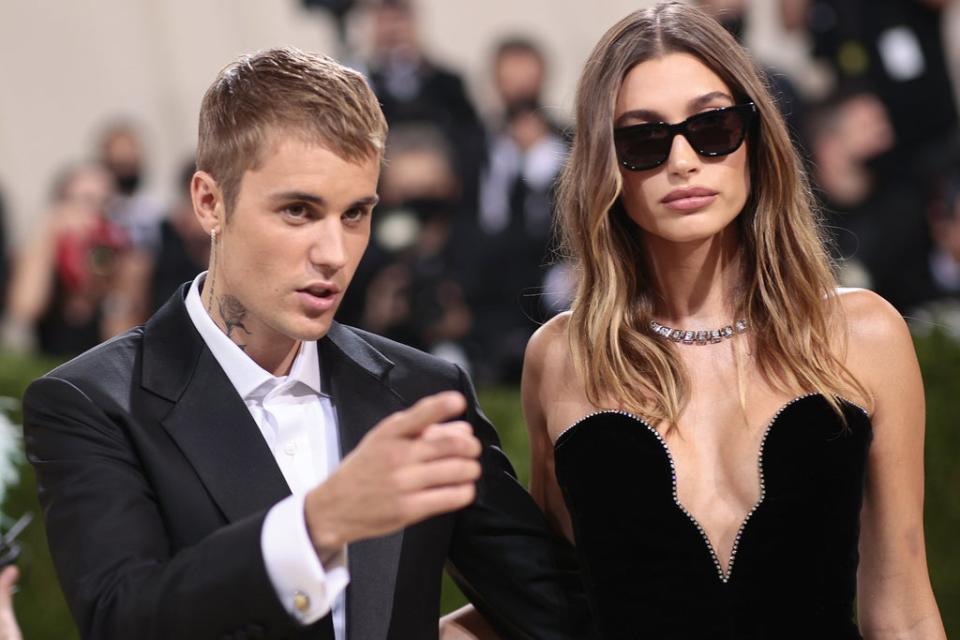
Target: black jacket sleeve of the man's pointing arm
<point>107,536</point>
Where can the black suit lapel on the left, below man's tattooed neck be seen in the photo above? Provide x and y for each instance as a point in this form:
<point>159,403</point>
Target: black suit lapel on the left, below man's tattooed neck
<point>208,420</point>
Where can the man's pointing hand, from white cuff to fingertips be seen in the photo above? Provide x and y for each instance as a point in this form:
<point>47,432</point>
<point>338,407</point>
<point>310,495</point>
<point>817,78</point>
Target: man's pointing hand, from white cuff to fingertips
<point>407,468</point>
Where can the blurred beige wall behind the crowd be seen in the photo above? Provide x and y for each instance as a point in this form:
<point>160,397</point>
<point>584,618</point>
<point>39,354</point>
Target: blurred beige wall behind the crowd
<point>67,66</point>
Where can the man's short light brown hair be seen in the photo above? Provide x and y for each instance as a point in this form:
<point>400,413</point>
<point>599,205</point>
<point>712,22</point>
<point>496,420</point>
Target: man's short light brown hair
<point>284,89</point>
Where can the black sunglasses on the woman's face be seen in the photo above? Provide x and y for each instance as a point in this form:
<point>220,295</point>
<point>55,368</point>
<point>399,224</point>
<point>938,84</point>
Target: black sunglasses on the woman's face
<point>712,133</point>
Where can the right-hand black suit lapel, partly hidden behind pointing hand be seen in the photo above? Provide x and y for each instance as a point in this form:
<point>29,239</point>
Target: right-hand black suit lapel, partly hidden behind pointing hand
<point>356,373</point>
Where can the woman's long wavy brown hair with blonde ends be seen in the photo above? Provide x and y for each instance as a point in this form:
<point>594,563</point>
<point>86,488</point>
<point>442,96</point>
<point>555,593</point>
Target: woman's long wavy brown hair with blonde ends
<point>787,289</point>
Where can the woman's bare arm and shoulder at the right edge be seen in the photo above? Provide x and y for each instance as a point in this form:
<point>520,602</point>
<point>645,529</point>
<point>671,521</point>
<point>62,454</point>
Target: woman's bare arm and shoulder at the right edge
<point>894,599</point>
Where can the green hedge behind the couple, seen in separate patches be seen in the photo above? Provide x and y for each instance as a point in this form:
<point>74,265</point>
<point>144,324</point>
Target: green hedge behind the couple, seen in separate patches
<point>43,613</point>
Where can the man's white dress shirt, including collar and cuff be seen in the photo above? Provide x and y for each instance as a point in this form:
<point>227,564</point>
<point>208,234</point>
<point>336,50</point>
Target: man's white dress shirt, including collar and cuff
<point>299,424</point>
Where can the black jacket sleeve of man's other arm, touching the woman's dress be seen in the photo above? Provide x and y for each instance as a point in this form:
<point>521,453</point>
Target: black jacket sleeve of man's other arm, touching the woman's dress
<point>522,578</point>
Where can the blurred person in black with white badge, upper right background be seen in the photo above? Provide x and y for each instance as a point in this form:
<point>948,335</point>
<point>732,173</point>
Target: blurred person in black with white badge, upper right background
<point>891,54</point>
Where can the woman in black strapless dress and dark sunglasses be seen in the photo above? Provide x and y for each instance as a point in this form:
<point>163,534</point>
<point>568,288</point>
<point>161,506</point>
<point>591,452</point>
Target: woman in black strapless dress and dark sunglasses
<point>715,425</point>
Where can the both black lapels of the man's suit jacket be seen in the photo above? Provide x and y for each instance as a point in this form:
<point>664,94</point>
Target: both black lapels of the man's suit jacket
<point>215,431</point>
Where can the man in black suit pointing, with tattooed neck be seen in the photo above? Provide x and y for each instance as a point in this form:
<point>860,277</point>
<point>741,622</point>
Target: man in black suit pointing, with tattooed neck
<point>190,470</point>
